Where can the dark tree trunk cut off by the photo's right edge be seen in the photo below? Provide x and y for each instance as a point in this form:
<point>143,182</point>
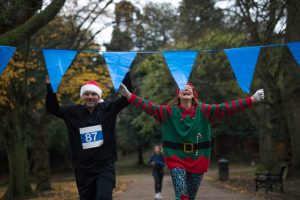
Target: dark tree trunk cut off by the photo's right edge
<point>291,87</point>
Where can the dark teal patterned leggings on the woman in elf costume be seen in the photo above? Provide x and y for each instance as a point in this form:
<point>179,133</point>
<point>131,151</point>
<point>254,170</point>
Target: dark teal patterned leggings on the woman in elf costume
<point>185,182</point>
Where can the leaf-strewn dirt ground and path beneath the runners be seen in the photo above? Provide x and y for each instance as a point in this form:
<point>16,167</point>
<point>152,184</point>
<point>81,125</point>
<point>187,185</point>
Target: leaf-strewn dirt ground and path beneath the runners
<point>140,186</point>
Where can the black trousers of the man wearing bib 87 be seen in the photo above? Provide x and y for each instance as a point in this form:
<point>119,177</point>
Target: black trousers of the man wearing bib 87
<point>96,183</point>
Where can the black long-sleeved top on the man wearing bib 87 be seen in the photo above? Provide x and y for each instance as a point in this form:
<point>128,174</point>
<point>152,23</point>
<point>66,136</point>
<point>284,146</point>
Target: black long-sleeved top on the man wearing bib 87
<point>78,116</point>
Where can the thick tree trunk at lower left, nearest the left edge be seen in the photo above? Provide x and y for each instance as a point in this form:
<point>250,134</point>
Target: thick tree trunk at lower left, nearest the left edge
<point>16,148</point>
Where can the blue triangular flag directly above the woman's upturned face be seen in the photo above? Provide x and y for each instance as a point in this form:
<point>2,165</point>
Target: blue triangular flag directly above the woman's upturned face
<point>180,64</point>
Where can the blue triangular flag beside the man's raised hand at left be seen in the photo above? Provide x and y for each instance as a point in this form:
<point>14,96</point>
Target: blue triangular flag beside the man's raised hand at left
<point>57,63</point>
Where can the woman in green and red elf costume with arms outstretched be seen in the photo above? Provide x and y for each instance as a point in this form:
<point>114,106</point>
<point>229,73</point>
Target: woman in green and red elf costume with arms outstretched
<point>186,133</point>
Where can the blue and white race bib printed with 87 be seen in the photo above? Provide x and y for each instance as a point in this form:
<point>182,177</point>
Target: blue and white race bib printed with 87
<point>91,136</point>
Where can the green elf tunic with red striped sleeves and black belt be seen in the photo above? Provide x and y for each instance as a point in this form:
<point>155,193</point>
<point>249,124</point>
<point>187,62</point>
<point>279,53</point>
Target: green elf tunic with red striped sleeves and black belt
<point>186,133</point>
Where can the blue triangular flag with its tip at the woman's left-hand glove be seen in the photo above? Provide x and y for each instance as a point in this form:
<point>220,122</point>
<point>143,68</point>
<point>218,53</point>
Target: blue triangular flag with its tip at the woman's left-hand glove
<point>118,65</point>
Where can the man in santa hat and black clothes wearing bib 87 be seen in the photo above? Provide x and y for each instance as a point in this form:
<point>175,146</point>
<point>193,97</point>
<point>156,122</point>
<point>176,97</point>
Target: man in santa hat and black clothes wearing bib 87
<point>92,138</point>
